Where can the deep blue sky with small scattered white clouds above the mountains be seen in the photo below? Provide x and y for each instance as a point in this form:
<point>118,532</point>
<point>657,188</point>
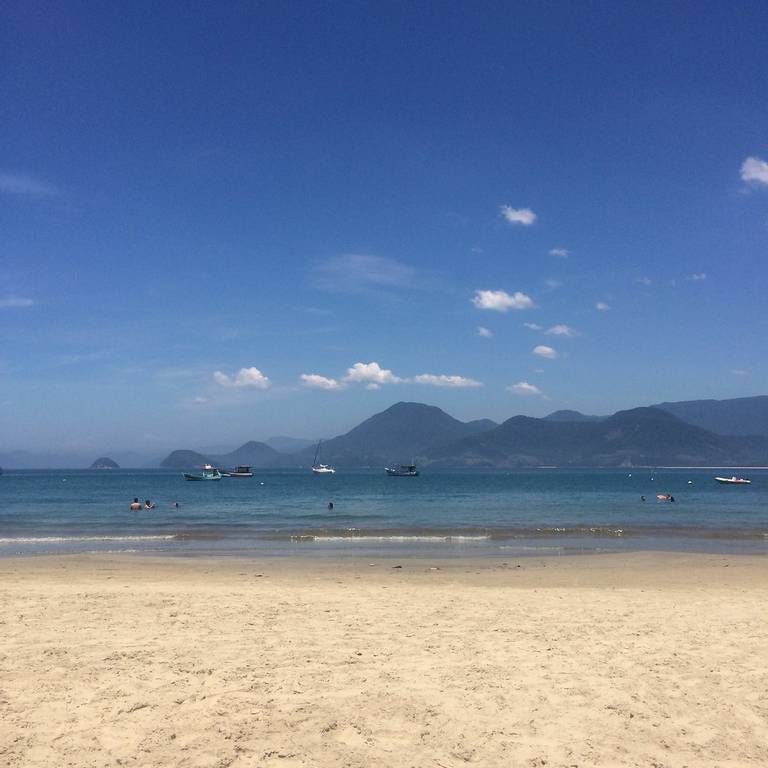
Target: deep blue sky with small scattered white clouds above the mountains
<point>228,221</point>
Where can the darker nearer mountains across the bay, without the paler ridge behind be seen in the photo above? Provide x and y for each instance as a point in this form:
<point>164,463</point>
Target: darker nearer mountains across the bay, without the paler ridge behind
<point>426,435</point>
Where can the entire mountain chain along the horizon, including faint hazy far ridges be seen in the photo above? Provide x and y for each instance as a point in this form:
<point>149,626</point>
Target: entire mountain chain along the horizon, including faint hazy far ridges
<point>695,432</point>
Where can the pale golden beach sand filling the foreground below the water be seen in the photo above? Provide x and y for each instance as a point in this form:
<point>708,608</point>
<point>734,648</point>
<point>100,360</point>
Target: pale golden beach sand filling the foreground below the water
<point>616,660</point>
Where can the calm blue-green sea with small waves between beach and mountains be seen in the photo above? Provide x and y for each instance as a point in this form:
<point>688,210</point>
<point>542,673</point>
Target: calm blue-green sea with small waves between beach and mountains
<point>442,513</point>
